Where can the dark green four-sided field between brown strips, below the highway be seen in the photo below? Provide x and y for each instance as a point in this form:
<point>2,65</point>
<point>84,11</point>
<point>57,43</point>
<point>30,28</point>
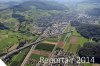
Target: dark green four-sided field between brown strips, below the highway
<point>46,47</point>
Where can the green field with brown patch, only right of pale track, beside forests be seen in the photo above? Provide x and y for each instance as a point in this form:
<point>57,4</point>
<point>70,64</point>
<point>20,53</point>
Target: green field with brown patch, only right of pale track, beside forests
<point>76,41</point>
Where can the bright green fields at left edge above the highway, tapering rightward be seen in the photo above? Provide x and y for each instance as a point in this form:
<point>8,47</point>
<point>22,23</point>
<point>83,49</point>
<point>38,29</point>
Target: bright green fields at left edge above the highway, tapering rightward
<point>10,38</point>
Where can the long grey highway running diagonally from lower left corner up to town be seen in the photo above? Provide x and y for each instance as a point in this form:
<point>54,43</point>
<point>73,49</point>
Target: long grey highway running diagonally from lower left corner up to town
<point>41,38</point>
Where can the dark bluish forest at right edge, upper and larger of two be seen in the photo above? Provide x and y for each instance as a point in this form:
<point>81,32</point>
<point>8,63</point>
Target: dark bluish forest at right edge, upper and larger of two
<point>90,31</point>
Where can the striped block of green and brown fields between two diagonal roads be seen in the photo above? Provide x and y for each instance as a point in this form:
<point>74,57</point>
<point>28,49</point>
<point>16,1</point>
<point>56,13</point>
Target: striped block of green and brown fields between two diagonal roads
<point>41,50</point>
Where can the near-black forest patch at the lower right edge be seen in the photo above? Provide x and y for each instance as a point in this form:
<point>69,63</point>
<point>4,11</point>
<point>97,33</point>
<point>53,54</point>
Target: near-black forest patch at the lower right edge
<point>90,49</point>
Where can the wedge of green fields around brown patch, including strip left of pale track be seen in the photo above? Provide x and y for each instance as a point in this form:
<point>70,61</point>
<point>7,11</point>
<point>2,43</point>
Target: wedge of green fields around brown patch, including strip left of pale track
<point>74,41</point>
